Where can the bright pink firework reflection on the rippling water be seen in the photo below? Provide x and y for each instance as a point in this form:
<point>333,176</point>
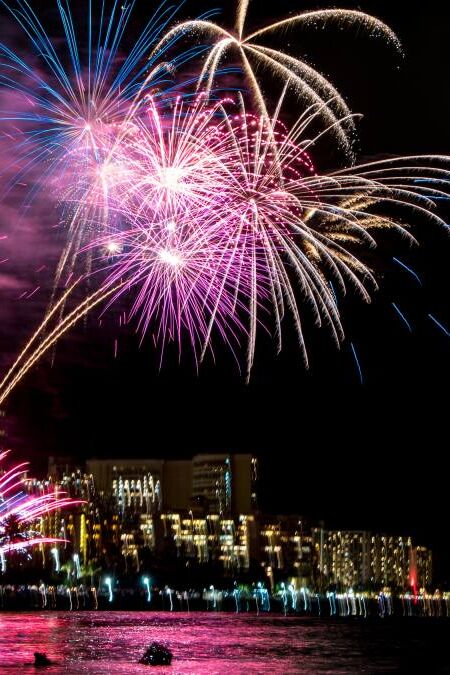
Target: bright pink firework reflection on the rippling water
<point>113,642</point>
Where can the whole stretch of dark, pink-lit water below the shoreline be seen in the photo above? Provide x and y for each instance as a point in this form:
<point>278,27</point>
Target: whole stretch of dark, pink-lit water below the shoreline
<point>113,642</point>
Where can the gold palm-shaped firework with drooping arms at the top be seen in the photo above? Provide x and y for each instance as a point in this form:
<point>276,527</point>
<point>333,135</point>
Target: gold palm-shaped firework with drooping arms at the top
<point>310,86</point>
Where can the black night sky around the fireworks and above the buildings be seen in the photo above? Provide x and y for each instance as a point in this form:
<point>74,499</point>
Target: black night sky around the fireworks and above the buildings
<point>370,455</point>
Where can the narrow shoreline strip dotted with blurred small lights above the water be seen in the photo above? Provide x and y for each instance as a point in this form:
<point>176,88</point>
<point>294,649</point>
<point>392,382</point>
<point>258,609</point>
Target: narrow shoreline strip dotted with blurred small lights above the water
<point>316,606</point>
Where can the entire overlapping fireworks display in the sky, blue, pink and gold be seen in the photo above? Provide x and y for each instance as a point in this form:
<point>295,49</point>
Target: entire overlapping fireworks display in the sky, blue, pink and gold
<point>206,216</point>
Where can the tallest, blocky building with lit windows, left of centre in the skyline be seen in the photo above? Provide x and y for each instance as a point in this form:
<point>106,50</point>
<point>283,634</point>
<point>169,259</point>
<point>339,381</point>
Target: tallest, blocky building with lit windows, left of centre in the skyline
<point>189,503</point>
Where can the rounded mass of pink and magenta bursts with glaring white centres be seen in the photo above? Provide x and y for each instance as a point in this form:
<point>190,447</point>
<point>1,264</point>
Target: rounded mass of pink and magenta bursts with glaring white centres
<point>201,203</point>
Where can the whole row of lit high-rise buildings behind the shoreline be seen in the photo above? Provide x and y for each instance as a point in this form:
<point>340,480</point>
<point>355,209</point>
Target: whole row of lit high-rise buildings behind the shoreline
<point>200,512</point>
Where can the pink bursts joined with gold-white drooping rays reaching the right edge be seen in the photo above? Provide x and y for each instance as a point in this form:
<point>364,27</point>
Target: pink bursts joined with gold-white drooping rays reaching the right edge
<point>225,219</point>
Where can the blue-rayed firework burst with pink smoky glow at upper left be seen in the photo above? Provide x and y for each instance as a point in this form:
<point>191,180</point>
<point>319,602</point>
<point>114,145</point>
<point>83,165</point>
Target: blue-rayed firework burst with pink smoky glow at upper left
<point>63,106</point>
